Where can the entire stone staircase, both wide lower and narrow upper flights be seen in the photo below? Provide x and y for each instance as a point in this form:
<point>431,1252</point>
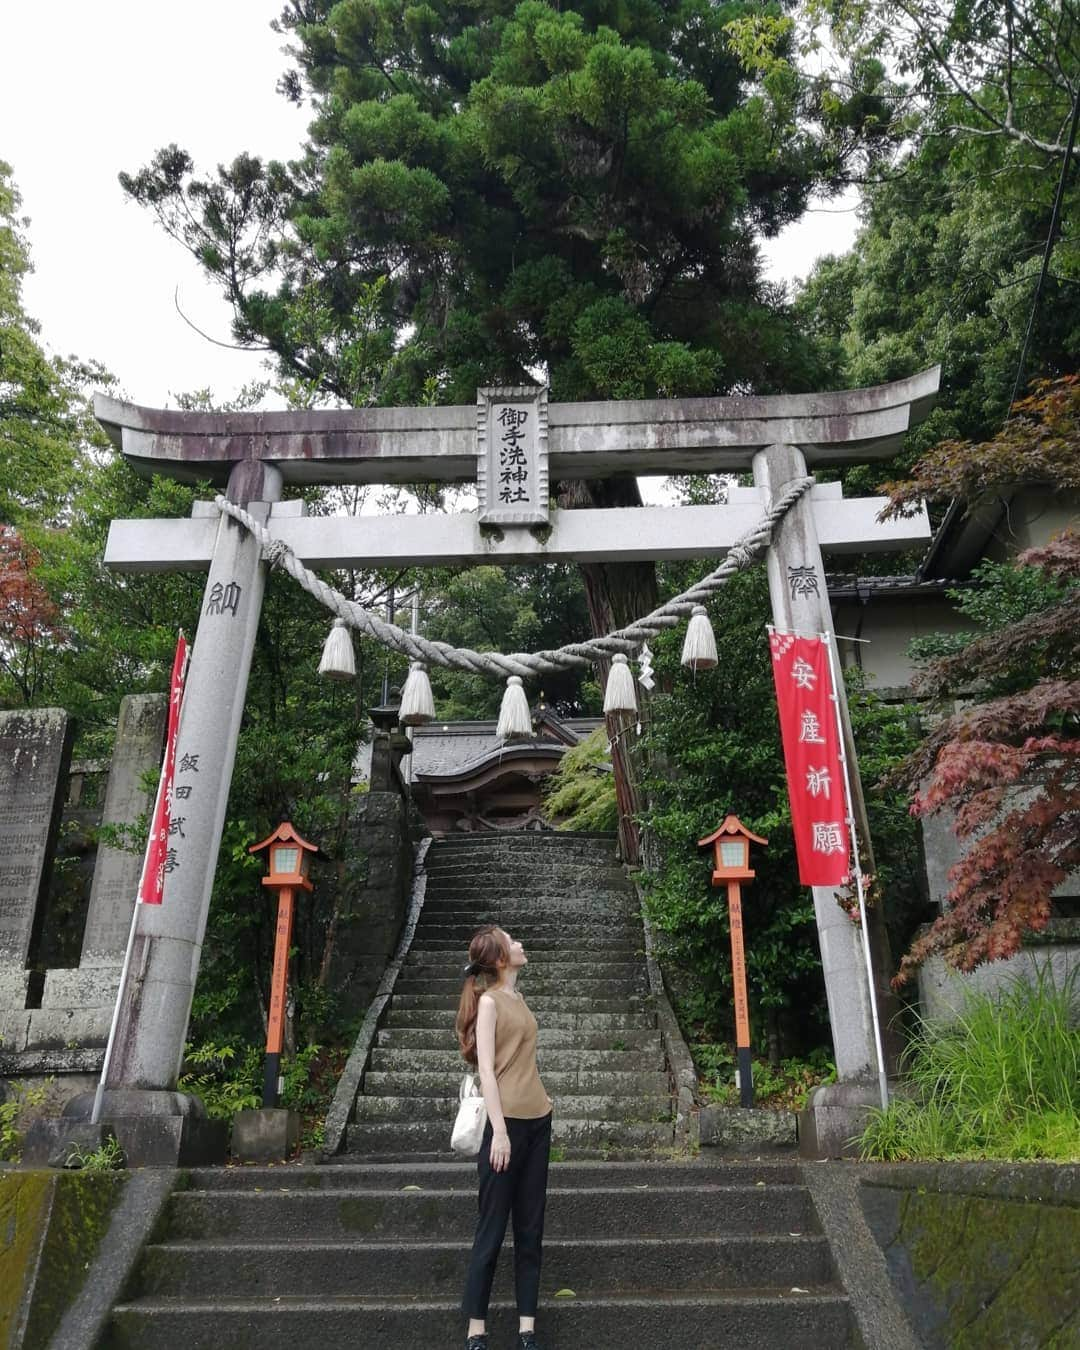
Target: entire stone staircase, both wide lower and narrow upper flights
<point>372,1252</point>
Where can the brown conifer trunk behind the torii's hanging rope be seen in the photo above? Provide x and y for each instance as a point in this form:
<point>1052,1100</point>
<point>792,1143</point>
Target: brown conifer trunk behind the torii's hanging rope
<point>618,595</point>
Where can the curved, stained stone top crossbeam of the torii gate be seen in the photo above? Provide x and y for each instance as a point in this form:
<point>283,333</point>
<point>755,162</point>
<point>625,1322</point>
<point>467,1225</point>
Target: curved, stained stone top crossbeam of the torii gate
<point>585,441</point>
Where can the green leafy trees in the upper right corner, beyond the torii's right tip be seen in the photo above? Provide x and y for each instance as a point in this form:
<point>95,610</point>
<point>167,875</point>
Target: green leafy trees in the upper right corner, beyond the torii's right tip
<point>946,265</point>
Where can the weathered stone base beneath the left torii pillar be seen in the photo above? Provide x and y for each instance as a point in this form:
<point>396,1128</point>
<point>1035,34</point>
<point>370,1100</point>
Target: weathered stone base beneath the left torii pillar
<point>156,1129</point>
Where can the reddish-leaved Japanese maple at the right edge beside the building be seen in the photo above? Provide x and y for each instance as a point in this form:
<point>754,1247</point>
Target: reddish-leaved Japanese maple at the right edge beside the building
<point>1008,765</point>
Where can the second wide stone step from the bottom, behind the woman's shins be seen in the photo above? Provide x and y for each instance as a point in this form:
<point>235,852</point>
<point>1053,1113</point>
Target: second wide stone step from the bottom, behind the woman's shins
<point>593,1268</point>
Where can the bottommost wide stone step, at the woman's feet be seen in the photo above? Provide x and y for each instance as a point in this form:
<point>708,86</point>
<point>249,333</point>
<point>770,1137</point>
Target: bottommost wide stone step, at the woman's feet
<point>734,1321</point>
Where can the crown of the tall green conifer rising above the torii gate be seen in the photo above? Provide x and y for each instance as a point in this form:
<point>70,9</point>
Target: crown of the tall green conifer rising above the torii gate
<point>510,188</point>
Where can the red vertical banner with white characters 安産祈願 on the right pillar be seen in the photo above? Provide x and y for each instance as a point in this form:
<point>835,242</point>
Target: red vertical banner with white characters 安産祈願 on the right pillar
<point>804,678</point>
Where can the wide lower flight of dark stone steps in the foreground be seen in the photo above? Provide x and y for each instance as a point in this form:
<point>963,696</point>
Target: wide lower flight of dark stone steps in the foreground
<point>691,1255</point>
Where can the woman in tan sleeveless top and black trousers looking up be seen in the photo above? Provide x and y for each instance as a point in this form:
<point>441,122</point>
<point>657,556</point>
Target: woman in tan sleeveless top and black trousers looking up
<point>497,1035</point>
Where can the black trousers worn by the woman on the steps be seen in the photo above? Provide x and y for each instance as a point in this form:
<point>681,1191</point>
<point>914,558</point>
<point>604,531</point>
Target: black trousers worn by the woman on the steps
<point>520,1191</point>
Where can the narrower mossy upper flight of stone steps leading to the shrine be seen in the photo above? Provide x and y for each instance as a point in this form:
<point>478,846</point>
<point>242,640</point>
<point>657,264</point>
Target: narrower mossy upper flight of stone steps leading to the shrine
<point>600,1054</point>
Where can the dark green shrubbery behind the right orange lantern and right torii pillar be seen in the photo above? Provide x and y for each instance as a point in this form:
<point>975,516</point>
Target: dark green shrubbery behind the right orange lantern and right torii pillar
<point>715,749</point>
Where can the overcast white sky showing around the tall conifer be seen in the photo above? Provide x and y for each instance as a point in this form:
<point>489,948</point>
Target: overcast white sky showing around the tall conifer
<point>101,91</point>
